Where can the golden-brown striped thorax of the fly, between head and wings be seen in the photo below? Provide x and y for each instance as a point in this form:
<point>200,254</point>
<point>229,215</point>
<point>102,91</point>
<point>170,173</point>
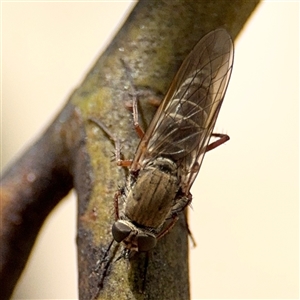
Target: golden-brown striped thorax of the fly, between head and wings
<point>151,197</point>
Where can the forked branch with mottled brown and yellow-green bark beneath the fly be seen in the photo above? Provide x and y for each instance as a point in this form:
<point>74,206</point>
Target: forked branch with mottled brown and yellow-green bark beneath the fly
<point>74,152</point>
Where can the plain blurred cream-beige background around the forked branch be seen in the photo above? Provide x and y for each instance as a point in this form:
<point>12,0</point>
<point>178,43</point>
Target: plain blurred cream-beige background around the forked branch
<point>245,215</point>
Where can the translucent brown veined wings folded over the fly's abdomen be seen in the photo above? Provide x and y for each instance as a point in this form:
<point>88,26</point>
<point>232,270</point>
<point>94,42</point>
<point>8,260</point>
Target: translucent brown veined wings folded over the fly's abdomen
<point>183,123</point>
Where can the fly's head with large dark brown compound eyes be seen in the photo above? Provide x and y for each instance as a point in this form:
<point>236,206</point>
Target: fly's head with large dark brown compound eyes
<point>134,239</point>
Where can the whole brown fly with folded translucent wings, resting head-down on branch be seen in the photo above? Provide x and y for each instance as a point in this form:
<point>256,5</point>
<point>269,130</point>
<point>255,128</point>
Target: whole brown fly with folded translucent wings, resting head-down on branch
<point>171,151</point>
